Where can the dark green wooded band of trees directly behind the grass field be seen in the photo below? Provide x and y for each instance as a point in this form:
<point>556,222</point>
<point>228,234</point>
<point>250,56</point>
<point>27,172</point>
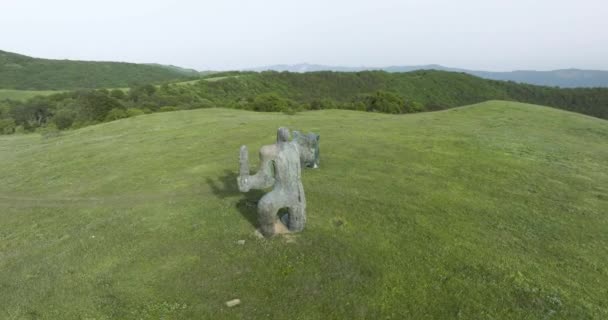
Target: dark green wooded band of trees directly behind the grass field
<point>372,91</point>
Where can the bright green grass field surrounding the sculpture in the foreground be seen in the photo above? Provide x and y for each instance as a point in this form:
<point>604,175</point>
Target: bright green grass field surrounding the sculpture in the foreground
<point>493,211</point>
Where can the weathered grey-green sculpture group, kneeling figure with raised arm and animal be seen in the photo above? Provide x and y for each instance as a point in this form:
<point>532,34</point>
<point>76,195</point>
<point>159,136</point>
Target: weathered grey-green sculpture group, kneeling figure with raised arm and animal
<point>280,168</point>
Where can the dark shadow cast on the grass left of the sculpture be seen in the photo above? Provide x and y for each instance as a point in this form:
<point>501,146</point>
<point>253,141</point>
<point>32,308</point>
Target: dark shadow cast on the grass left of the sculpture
<point>226,186</point>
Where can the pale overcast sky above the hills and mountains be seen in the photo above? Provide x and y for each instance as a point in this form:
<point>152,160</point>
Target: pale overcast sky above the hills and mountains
<point>231,34</point>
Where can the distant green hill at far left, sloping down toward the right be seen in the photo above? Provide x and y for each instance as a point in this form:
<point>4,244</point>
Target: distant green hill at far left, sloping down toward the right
<point>27,73</point>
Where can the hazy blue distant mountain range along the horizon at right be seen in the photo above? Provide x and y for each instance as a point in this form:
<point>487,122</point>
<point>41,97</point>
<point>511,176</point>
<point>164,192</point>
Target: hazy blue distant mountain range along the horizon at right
<point>566,78</point>
